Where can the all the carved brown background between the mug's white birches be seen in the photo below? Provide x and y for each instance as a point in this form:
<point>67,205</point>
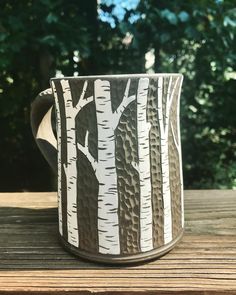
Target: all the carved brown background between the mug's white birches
<point>127,176</point>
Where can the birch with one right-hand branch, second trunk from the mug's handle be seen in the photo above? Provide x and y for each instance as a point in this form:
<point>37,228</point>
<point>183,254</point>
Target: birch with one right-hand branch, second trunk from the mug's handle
<point>70,168</point>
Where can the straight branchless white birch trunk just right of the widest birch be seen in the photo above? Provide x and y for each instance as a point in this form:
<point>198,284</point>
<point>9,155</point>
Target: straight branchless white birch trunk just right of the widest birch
<point>143,167</point>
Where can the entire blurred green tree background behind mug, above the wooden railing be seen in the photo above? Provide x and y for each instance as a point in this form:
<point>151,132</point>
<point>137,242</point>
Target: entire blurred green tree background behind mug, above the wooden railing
<point>46,38</point>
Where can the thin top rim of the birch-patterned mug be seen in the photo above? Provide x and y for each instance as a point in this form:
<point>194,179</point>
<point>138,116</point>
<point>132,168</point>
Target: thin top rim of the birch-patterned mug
<point>139,75</point>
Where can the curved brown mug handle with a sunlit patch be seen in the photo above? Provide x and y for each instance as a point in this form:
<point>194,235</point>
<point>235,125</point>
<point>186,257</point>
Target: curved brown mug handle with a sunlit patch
<point>41,124</point>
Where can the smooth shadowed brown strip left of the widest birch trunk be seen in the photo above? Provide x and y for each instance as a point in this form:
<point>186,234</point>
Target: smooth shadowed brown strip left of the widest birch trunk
<point>87,185</point>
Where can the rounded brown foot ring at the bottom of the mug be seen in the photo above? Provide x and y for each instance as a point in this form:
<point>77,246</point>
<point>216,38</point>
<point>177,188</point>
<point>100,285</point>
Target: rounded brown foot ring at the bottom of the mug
<point>121,259</point>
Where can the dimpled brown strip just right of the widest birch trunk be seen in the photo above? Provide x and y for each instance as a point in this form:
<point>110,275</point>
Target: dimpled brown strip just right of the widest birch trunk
<point>128,178</point>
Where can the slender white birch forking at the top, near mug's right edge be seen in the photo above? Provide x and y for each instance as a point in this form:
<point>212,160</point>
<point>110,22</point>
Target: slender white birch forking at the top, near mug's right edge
<point>164,119</point>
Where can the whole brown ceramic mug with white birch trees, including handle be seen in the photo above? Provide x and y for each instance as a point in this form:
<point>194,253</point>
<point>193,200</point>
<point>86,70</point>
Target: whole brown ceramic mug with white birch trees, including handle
<point>118,160</point>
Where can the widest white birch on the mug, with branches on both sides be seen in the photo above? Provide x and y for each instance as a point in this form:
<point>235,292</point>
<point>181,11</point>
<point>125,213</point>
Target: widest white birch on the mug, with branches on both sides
<point>105,166</point>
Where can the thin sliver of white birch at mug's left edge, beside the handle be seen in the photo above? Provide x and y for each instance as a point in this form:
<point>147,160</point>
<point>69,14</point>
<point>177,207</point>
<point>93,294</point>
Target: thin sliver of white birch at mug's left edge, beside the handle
<point>58,158</point>
